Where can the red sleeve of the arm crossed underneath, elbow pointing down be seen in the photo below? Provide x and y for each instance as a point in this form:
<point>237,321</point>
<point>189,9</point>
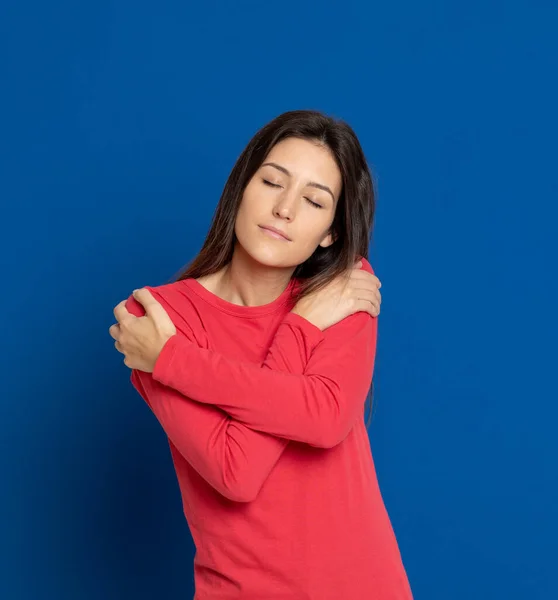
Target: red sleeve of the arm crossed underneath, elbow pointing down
<point>232,457</point>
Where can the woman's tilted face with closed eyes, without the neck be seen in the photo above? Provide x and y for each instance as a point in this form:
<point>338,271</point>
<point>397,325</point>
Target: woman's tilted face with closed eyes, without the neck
<point>295,191</point>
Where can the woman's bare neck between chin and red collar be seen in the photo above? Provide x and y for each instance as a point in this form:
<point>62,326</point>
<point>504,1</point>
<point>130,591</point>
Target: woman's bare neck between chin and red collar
<point>248,283</point>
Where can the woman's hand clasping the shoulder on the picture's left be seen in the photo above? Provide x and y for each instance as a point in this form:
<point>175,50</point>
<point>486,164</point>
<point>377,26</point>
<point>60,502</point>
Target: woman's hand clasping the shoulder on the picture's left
<point>141,339</point>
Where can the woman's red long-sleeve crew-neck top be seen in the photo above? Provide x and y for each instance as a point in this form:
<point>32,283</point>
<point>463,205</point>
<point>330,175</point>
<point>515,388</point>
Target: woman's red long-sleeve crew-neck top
<point>264,415</point>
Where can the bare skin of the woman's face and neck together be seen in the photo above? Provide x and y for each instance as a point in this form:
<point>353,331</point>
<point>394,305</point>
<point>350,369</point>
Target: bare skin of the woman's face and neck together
<point>262,266</point>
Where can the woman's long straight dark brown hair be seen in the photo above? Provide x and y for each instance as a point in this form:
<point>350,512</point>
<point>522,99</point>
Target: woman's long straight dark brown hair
<point>354,215</point>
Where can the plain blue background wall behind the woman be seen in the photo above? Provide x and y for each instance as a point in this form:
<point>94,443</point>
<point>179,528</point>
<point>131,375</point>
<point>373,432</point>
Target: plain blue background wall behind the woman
<point>120,124</point>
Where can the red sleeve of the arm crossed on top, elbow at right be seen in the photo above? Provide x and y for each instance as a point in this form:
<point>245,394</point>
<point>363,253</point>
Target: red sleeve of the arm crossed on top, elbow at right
<point>318,406</point>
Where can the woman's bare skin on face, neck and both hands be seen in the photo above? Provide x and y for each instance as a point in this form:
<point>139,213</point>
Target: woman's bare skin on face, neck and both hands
<point>296,191</point>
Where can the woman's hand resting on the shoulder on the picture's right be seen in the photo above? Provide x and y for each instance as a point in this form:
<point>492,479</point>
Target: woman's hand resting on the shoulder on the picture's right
<point>355,291</point>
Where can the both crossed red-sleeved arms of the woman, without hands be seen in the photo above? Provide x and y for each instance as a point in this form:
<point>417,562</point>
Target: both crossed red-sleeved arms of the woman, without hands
<point>232,420</point>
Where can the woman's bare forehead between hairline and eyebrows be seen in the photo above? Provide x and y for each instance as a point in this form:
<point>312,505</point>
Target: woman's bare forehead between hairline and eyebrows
<point>307,160</point>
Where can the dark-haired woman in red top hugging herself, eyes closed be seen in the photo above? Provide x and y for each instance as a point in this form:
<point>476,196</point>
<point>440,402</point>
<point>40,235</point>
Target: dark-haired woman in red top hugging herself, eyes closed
<point>257,361</point>
